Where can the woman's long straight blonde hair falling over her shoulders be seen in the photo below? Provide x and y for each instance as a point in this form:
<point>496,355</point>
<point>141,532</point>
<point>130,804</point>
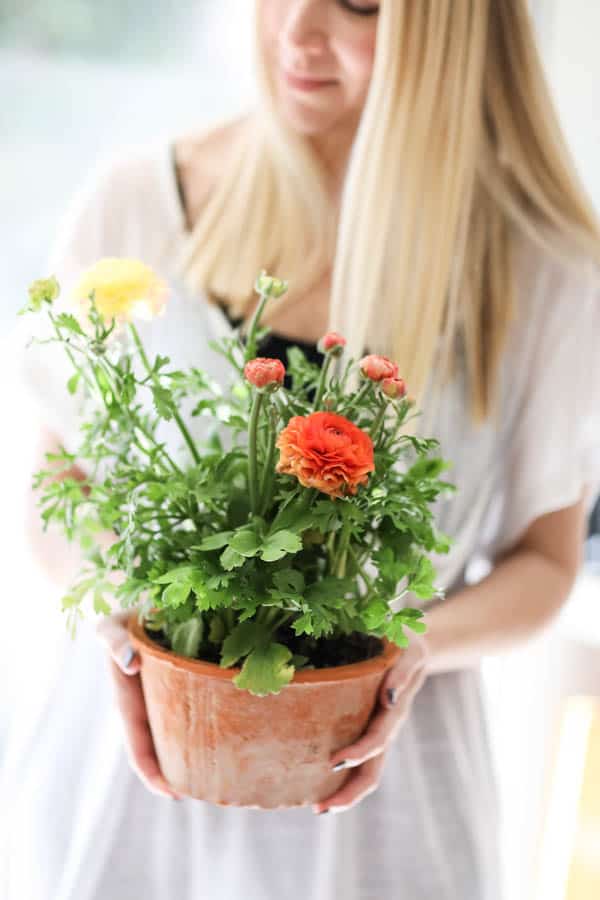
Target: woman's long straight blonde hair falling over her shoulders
<point>457,156</point>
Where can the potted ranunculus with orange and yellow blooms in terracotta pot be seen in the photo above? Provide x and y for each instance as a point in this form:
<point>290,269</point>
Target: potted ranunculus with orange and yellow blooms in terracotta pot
<point>262,566</point>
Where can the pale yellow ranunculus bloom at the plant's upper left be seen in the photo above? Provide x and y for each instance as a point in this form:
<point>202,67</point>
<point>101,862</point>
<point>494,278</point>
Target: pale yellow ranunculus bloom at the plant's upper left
<point>123,288</point>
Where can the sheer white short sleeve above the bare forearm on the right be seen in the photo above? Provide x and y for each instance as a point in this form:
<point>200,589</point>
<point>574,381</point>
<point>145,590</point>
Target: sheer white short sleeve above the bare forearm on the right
<point>553,452</point>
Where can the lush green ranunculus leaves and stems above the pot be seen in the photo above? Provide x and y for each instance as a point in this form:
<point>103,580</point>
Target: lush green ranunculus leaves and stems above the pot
<point>212,564</point>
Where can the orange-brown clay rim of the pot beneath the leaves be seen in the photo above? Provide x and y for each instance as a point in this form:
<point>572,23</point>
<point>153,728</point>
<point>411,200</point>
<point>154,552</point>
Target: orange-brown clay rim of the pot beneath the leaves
<point>381,662</point>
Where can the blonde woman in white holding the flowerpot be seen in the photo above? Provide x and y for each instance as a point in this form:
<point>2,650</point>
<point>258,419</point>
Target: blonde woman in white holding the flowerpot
<point>421,200</point>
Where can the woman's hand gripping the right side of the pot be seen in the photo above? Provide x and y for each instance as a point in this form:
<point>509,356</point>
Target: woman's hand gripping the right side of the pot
<point>367,755</point>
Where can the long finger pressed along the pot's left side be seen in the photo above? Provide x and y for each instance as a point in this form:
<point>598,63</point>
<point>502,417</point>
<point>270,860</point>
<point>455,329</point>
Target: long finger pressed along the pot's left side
<point>138,736</point>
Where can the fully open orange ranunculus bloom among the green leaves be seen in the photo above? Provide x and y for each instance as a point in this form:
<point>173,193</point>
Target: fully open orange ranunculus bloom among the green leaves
<point>327,452</point>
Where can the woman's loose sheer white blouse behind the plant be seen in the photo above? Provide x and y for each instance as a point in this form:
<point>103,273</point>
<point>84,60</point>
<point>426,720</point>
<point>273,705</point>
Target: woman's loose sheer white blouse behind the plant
<point>83,826</point>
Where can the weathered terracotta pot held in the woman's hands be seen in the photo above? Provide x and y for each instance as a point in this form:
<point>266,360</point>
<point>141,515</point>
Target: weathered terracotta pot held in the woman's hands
<point>219,743</point>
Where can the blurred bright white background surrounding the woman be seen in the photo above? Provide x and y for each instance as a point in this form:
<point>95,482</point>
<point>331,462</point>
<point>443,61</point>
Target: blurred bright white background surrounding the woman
<point>79,79</point>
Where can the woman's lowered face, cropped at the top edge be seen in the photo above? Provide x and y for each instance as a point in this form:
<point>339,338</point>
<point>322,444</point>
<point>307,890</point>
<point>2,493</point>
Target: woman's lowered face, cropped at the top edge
<point>331,42</point>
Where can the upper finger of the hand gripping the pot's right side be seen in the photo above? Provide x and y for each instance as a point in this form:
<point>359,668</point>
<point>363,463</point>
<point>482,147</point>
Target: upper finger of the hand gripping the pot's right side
<point>382,727</point>
